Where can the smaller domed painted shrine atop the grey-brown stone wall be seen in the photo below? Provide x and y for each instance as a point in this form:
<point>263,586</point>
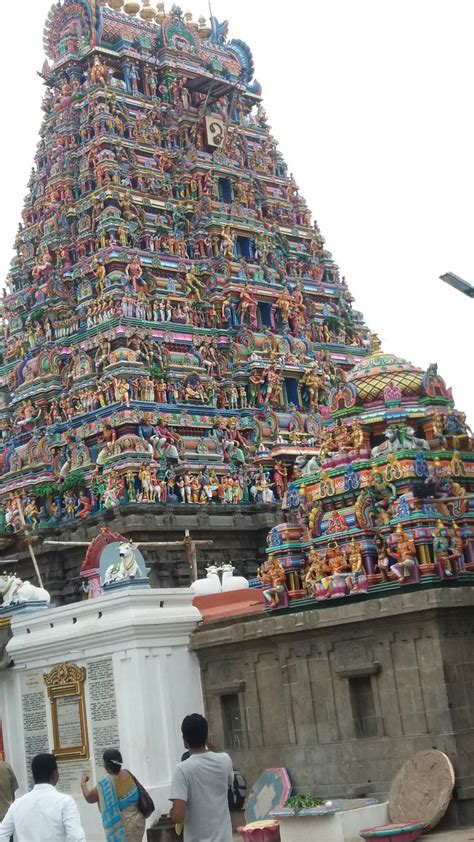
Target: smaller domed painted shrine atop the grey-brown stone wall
<point>387,503</point>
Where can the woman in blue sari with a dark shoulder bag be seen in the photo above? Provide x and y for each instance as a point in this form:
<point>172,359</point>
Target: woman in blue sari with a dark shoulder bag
<point>117,796</point>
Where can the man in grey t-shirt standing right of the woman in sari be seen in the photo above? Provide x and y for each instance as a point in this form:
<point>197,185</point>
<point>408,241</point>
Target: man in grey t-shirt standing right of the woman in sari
<point>199,787</point>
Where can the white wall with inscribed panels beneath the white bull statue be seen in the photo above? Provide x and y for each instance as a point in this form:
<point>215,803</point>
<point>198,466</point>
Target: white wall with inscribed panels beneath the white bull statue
<point>140,681</point>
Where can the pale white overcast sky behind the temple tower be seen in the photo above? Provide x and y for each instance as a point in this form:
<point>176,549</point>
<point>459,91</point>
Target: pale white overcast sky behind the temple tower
<point>371,102</point>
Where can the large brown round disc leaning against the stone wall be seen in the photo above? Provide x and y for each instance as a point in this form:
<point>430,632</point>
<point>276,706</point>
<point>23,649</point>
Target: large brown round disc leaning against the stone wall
<point>422,789</point>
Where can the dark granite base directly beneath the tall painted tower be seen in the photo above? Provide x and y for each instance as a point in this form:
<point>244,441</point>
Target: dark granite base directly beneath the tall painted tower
<point>239,535</point>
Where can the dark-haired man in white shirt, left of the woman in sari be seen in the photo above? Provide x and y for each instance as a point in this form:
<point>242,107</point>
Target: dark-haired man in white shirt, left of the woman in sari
<point>43,815</point>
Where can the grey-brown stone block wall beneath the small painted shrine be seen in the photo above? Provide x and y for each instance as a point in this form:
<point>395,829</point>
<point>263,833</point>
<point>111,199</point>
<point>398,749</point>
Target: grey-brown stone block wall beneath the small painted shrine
<point>343,697</point>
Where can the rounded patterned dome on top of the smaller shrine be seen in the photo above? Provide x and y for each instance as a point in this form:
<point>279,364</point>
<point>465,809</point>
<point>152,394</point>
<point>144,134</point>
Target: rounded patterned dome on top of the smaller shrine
<point>380,374</point>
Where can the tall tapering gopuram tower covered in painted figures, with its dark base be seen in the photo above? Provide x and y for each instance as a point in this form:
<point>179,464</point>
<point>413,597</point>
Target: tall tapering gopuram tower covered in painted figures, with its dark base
<point>175,332</point>
